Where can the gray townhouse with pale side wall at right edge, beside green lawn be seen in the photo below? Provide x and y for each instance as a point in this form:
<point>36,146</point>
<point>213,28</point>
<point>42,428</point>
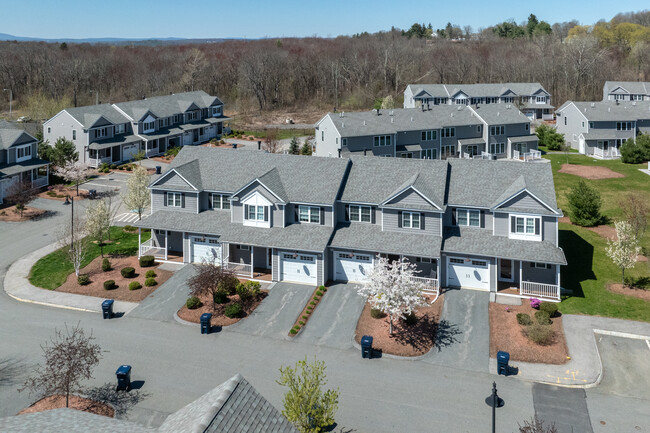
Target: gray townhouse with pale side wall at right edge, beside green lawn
<point>598,129</point>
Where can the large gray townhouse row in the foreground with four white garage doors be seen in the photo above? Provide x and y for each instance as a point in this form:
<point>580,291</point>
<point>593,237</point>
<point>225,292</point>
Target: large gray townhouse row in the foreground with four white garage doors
<point>479,224</point>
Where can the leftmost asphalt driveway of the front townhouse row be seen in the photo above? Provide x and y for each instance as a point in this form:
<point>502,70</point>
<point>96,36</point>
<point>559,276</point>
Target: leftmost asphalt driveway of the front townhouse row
<point>165,301</point>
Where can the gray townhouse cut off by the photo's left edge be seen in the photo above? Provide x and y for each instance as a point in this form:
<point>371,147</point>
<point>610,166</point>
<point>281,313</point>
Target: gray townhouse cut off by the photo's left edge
<point>20,167</point>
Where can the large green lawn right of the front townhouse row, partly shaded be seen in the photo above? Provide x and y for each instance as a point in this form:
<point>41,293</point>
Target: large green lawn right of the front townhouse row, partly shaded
<point>589,269</point>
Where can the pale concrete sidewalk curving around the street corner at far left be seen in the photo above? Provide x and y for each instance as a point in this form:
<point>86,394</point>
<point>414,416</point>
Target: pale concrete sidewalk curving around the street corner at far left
<point>17,285</point>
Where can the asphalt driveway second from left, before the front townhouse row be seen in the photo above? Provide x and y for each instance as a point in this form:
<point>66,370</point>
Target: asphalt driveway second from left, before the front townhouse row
<point>275,316</point>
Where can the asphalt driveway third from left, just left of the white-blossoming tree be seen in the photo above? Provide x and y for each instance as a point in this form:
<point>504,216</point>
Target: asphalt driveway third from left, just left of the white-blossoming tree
<point>334,322</point>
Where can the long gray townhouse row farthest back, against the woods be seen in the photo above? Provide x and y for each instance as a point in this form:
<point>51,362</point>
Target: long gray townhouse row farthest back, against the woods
<point>533,100</point>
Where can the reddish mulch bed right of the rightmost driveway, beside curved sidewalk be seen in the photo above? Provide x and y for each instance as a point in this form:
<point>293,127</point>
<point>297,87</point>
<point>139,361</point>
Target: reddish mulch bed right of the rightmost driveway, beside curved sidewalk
<point>507,335</point>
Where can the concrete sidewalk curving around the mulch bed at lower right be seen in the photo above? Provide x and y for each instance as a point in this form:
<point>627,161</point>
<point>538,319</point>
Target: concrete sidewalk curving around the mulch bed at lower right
<point>584,369</point>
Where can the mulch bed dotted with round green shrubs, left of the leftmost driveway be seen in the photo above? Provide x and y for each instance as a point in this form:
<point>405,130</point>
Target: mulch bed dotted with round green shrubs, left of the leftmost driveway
<point>122,292</point>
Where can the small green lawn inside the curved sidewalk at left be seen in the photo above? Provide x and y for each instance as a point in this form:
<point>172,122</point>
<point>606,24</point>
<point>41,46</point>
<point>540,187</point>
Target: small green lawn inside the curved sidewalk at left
<point>52,270</point>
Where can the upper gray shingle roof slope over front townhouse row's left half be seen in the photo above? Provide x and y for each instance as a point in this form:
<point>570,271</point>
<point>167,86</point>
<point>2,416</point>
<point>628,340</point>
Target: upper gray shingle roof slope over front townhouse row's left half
<point>304,179</point>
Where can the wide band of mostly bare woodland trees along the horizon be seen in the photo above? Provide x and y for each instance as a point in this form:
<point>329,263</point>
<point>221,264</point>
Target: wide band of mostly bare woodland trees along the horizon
<point>347,72</point>
